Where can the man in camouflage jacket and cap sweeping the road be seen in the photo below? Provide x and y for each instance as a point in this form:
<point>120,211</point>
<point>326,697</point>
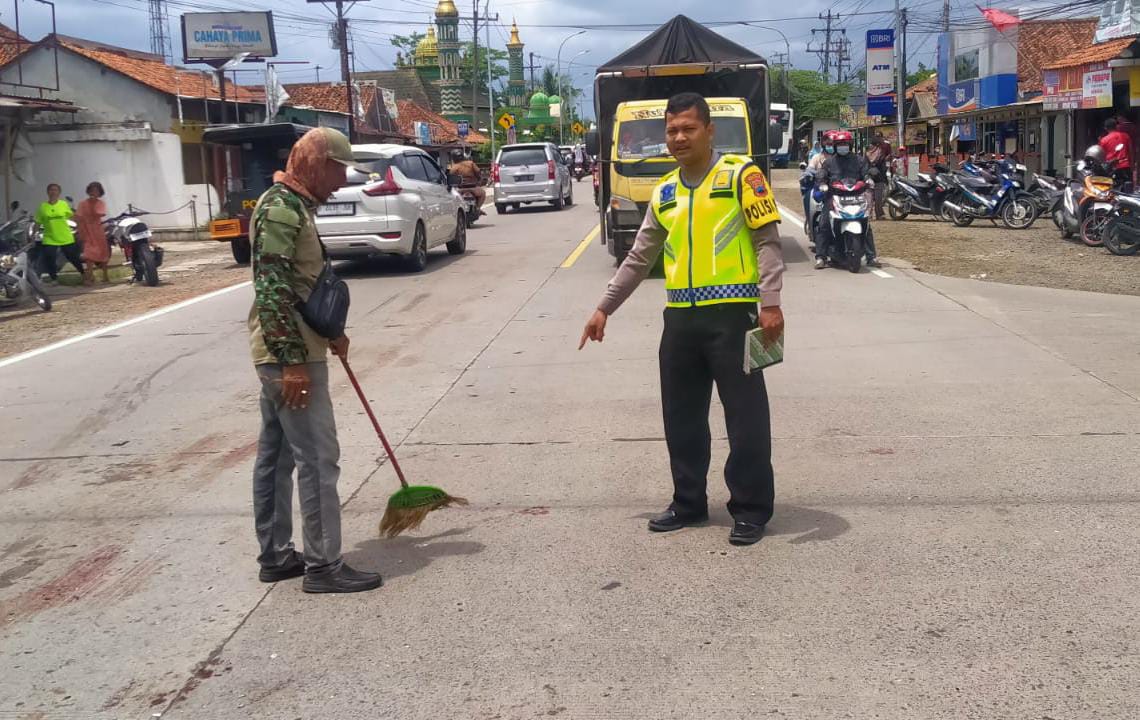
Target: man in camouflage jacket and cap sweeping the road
<point>298,429</point>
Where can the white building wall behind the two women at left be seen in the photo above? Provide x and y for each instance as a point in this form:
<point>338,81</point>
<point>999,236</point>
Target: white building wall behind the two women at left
<point>145,174</point>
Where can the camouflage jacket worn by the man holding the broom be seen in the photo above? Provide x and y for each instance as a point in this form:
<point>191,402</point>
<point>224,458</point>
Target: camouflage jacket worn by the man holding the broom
<point>287,263</point>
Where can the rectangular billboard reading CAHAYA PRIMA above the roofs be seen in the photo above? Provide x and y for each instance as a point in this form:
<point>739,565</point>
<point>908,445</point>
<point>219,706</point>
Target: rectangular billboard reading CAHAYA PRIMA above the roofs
<point>211,37</point>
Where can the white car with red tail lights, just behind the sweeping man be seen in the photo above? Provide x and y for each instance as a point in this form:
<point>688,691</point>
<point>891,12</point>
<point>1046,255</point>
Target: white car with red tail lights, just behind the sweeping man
<point>398,202</point>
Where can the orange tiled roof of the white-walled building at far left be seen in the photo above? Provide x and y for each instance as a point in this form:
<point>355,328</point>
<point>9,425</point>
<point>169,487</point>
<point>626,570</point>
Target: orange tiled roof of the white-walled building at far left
<point>152,71</point>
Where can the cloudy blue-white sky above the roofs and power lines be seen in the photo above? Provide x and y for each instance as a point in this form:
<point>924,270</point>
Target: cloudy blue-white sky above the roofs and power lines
<point>303,28</point>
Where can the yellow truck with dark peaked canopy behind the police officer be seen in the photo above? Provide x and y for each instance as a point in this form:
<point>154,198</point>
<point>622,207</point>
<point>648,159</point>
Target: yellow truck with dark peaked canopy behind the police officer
<point>631,93</point>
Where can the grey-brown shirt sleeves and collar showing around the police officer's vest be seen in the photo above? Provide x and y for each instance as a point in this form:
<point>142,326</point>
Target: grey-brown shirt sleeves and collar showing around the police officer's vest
<point>650,241</point>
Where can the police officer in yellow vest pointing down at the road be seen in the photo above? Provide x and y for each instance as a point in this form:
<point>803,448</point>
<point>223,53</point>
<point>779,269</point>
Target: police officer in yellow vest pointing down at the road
<point>715,219</point>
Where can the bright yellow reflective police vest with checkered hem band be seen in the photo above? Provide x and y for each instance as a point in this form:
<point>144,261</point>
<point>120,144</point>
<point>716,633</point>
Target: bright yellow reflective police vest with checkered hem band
<point>710,258</point>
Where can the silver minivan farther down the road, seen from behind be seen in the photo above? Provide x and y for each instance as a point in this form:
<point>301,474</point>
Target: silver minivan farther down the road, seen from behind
<point>533,173</point>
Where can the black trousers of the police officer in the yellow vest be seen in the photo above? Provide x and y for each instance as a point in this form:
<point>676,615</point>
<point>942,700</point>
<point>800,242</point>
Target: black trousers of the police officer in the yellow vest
<point>699,347</point>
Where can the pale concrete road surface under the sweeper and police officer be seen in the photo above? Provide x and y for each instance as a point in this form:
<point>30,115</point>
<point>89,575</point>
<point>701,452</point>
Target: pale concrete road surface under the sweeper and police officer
<point>955,533</point>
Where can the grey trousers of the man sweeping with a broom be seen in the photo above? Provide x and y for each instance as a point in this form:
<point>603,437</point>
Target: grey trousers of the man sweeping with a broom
<point>306,440</point>
